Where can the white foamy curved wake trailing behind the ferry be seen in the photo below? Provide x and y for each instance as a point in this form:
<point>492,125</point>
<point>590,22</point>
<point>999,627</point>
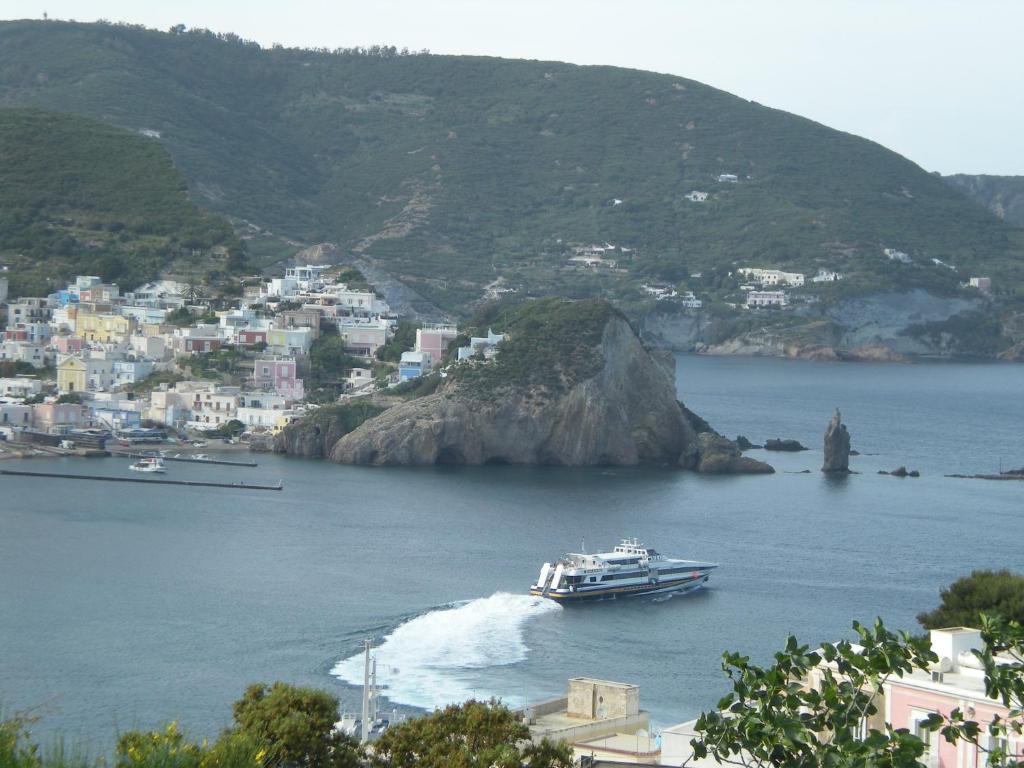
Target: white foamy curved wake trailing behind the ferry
<point>436,659</point>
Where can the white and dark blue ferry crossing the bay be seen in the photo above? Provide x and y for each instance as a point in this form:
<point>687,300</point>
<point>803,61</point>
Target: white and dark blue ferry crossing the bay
<point>631,570</point>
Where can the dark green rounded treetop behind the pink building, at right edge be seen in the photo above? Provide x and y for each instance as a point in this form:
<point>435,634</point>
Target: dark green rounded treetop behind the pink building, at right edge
<point>992,592</point>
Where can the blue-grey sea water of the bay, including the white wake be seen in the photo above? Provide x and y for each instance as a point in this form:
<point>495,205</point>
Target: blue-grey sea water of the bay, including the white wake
<point>124,607</point>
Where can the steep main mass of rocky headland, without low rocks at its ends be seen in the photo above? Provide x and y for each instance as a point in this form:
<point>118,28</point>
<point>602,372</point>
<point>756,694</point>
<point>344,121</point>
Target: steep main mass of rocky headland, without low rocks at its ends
<point>624,413</point>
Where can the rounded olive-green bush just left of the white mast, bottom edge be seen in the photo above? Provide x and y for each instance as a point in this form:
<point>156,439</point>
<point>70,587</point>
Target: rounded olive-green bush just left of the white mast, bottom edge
<point>297,724</point>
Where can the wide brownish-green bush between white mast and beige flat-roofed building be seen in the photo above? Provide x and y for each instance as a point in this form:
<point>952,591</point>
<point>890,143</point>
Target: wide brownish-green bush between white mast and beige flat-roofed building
<point>475,735</point>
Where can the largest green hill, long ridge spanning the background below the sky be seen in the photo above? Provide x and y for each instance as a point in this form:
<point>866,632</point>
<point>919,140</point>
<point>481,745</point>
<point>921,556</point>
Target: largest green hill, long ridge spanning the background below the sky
<point>455,170</point>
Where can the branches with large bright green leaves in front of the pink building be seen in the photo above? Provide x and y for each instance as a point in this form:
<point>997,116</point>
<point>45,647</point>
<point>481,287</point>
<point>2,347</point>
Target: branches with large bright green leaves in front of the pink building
<point>818,709</point>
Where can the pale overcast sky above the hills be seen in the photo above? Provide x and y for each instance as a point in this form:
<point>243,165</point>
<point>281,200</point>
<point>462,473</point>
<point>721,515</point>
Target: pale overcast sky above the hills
<point>940,81</point>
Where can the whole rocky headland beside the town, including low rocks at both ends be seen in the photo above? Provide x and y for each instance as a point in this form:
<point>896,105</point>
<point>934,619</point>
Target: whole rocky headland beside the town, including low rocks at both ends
<point>572,386</point>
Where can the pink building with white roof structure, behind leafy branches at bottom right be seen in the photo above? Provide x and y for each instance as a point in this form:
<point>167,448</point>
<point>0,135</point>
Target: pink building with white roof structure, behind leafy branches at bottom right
<point>958,680</point>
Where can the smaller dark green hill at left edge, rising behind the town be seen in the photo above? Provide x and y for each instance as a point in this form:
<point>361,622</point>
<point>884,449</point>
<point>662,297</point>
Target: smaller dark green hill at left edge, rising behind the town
<point>78,196</point>
